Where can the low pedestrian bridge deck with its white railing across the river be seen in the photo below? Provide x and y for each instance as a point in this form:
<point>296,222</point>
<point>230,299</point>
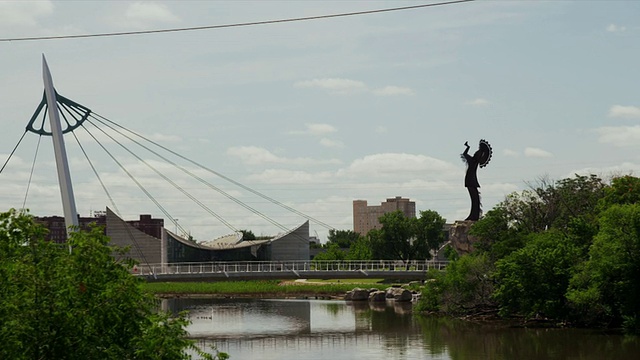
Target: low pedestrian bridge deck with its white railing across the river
<point>283,270</point>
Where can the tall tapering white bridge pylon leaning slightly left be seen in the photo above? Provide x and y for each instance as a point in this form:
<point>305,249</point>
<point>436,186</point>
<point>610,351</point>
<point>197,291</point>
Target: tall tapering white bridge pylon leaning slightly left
<point>62,163</point>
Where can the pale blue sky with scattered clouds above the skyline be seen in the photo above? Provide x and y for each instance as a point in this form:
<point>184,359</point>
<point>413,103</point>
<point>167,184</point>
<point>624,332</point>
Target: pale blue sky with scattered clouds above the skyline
<point>318,113</point>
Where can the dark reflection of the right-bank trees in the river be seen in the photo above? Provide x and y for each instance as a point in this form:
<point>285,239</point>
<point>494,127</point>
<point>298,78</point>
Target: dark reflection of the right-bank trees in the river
<point>465,340</point>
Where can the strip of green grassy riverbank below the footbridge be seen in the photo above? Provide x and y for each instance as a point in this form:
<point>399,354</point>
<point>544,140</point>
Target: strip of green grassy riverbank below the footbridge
<point>269,288</point>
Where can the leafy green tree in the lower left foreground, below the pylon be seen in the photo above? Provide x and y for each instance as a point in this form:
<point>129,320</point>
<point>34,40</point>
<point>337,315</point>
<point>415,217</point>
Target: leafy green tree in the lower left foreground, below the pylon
<point>79,304</point>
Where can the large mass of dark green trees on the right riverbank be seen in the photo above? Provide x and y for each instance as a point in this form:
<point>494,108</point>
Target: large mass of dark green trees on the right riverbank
<point>565,251</point>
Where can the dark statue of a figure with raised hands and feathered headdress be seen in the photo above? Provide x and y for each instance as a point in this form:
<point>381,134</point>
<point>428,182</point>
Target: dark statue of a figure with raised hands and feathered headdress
<point>480,158</point>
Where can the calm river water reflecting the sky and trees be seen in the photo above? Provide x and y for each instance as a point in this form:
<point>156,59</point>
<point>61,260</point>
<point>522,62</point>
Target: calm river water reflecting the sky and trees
<point>336,330</point>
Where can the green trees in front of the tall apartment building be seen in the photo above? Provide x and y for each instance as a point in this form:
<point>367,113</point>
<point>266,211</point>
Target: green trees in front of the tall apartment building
<point>404,238</point>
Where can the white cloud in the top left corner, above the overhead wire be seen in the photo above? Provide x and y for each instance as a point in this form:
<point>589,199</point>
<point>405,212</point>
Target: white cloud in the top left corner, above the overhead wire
<point>23,13</point>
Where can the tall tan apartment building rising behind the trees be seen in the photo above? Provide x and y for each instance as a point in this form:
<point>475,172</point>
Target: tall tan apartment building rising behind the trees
<point>366,217</point>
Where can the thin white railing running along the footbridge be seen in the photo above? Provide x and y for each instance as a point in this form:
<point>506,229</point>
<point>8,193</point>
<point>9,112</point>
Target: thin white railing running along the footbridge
<point>227,267</point>
